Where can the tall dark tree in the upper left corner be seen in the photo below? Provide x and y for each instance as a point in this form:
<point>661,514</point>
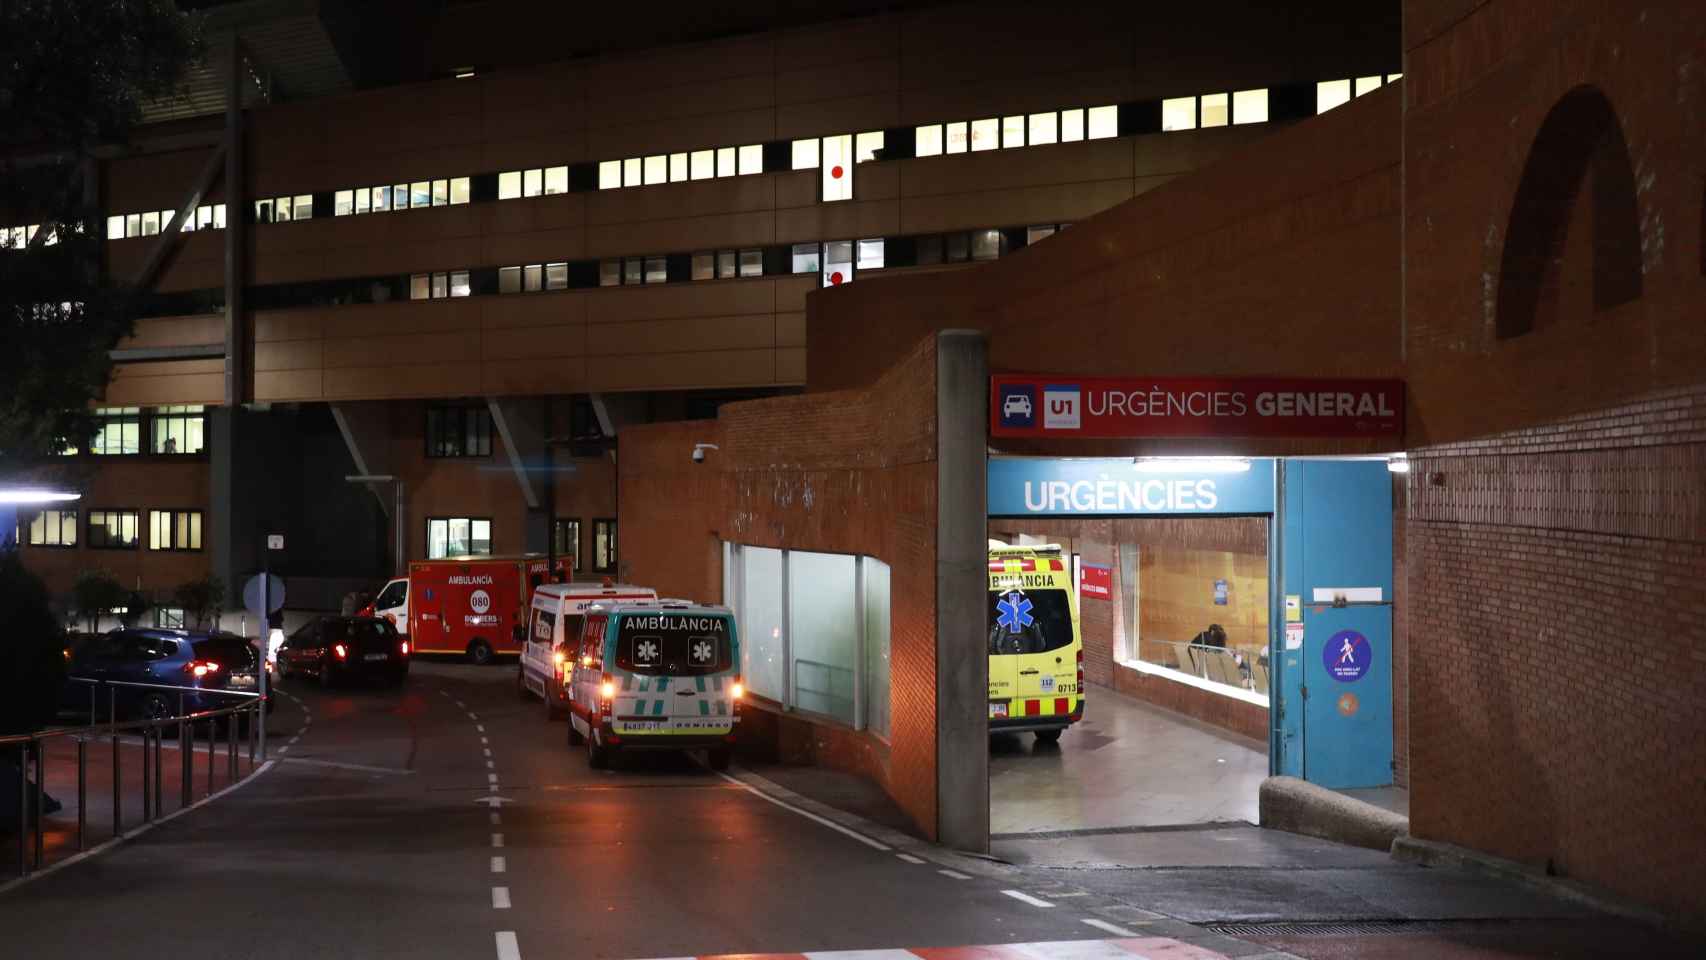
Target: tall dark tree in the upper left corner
<point>76,76</point>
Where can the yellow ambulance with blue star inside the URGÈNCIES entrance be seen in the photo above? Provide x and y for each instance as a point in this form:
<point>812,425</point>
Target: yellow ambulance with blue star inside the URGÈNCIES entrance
<point>1036,652</point>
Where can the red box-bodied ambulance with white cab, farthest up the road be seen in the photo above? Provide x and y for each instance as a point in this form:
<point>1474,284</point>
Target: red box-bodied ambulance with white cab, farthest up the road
<point>475,606</point>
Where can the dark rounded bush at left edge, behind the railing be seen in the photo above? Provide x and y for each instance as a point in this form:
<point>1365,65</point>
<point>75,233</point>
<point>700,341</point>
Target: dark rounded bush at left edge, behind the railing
<point>32,661</point>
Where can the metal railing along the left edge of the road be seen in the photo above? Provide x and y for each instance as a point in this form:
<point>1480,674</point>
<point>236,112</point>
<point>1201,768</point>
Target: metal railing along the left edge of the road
<point>33,761</point>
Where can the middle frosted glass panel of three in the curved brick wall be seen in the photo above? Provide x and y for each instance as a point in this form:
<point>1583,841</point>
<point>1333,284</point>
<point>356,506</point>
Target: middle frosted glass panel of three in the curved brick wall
<point>825,632</point>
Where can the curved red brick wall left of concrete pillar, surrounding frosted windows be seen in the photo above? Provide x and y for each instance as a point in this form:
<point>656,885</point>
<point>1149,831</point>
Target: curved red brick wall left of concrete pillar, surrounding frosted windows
<point>844,473</point>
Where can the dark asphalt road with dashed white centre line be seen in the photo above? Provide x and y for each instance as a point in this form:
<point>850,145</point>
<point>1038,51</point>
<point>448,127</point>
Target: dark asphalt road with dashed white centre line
<point>374,835</point>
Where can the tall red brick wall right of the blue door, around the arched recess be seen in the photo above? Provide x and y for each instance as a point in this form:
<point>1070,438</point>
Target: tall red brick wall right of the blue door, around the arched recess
<point>1557,533</point>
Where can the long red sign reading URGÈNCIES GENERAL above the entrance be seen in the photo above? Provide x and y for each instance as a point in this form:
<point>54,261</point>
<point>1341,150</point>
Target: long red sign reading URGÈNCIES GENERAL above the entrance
<point>1028,405</point>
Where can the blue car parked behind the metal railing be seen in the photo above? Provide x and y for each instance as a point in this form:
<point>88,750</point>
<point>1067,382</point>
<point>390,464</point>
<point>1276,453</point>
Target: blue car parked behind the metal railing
<point>192,661</point>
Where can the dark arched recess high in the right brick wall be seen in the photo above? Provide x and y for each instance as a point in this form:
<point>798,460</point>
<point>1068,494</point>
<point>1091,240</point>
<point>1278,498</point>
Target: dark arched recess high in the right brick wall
<point>1581,144</point>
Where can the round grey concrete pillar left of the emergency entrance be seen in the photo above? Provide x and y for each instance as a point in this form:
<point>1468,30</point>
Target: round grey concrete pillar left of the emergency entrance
<point>963,582</point>
